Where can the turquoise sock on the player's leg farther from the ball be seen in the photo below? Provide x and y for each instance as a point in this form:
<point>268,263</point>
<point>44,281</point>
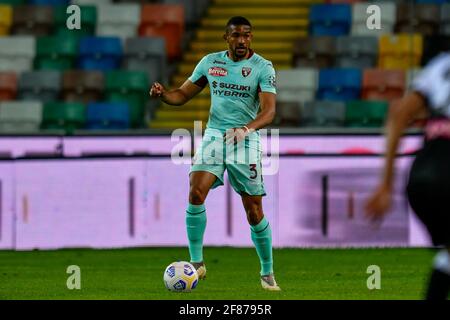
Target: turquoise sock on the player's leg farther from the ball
<point>262,238</point>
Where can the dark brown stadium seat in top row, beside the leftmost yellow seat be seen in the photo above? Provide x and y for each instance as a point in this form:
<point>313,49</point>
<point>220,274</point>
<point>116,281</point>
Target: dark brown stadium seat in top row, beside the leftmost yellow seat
<point>32,20</point>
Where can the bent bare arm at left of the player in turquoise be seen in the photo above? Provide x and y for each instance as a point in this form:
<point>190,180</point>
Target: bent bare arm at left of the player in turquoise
<point>175,97</point>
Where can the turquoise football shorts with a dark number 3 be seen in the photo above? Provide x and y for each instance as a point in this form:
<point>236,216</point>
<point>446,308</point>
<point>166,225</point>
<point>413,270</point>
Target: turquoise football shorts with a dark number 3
<point>242,161</point>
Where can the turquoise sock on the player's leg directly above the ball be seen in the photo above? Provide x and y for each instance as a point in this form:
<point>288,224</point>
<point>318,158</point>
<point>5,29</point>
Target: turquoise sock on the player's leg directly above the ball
<point>195,225</point>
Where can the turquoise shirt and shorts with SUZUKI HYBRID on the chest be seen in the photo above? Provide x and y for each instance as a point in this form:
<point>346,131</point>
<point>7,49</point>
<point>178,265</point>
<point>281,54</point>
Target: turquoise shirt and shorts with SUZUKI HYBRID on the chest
<point>235,102</point>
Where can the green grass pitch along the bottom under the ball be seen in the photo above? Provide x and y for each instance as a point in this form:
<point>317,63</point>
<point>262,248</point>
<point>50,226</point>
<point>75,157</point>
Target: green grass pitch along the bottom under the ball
<point>233,273</point>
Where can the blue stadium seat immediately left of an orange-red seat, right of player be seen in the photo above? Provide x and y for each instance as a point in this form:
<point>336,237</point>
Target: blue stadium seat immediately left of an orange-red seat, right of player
<point>339,84</point>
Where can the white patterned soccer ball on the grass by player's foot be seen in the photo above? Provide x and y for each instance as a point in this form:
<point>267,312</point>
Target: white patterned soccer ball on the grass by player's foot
<point>180,276</point>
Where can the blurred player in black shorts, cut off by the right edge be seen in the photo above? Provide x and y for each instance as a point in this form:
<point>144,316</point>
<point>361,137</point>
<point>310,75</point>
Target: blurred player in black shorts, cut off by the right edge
<point>428,187</point>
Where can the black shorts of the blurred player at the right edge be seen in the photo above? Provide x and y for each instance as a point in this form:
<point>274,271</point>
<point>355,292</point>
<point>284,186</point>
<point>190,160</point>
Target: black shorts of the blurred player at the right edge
<point>429,189</point>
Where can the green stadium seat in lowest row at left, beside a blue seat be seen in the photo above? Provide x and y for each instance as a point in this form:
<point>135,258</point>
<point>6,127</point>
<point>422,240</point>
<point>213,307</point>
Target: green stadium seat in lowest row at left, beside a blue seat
<point>66,116</point>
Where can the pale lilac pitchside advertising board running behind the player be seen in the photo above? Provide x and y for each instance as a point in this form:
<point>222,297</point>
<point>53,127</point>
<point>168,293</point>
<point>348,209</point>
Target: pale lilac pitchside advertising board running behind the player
<point>112,191</point>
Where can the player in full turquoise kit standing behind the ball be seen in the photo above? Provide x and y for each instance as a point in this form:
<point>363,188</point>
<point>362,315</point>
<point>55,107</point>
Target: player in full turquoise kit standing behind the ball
<point>241,83</point>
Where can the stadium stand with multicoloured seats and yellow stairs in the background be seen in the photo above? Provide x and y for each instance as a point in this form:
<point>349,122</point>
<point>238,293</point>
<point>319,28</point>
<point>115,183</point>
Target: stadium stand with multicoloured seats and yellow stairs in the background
<point>323,51</point>
